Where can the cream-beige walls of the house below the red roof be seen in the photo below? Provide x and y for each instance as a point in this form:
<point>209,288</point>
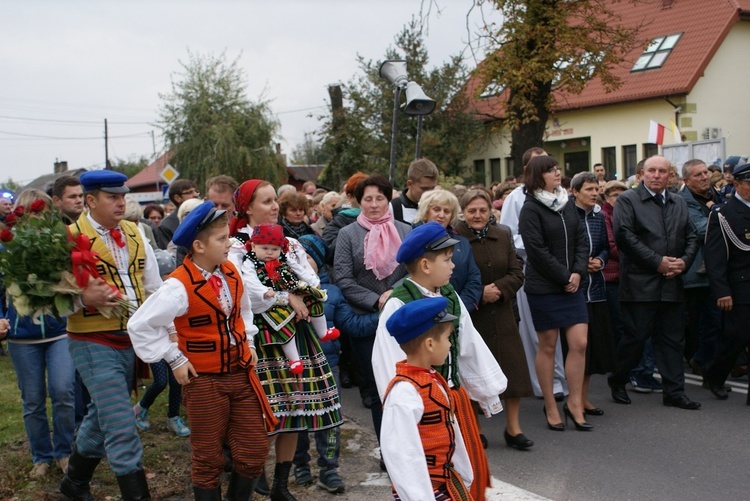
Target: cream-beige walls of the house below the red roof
<point>716,101</point>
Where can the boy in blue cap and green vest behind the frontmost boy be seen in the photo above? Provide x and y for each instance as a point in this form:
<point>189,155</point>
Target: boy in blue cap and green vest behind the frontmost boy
<point>471,371</point>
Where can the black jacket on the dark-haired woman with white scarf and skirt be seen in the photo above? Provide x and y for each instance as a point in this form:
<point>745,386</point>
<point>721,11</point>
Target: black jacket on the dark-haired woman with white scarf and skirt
<point>555,246</point>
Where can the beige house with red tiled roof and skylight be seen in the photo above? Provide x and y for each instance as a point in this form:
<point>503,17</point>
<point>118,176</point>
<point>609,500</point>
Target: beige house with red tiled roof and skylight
<point>693,73</point>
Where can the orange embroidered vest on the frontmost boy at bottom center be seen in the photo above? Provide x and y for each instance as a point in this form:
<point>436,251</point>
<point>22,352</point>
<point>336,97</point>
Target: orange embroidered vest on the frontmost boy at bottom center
<point>436,425</point>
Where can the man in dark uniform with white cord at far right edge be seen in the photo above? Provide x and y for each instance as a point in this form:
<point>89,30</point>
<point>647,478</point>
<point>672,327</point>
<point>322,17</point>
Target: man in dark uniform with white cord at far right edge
<point>728,265</point>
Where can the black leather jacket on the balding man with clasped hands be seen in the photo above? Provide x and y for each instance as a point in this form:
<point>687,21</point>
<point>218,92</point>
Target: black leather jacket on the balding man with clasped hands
<point>646,232</point>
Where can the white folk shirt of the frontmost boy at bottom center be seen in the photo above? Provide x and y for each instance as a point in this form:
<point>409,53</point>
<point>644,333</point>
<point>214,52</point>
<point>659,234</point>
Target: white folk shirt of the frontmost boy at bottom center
<point>402,448</point>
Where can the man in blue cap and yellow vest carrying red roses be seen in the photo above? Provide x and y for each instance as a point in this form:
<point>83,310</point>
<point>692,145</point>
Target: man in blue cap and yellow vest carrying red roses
<point>100,346</point>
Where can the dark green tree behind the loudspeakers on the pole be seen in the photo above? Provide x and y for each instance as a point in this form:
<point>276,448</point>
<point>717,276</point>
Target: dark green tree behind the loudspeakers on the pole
<point>356,133</point>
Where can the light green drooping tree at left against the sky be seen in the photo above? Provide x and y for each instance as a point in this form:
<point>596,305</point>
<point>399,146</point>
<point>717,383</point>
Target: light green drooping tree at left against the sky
<point>214,128</point>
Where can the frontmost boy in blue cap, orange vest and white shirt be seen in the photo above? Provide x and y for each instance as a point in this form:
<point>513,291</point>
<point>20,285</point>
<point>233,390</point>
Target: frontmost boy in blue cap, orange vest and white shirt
<point>423,449</point>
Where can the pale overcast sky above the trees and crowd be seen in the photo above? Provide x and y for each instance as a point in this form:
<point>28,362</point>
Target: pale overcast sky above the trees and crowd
<point>65,66</point>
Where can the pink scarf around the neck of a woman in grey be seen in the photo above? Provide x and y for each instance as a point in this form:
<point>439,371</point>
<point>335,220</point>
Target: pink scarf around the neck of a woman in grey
<point>381,244</point>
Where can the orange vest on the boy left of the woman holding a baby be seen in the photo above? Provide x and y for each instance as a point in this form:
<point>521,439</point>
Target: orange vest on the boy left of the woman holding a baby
<point>205,330</point>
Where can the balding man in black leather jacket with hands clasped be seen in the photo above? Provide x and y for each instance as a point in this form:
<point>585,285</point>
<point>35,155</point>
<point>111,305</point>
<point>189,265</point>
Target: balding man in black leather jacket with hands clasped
<point>657,244</point>
